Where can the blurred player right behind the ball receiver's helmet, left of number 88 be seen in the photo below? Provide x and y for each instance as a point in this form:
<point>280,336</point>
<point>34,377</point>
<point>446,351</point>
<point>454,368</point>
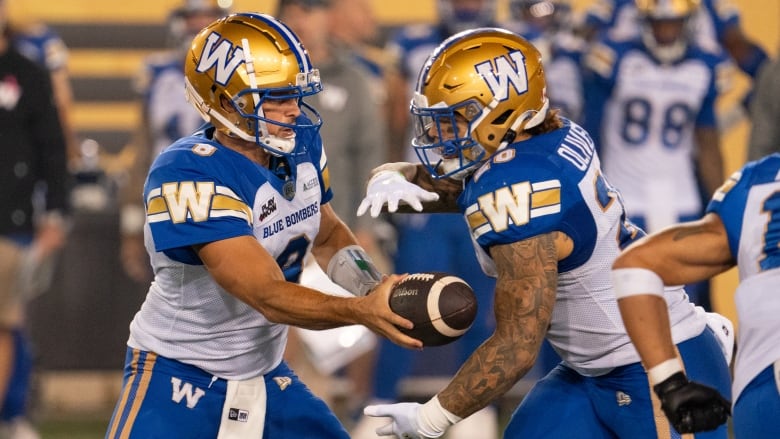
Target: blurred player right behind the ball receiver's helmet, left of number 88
<point>549,25</point>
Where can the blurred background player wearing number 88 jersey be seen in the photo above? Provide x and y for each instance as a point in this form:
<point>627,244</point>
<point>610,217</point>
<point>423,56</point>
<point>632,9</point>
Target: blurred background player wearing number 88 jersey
<point>650,106</point>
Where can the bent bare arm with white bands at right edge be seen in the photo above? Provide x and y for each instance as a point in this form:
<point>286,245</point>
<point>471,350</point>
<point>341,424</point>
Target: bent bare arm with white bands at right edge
<point>681,254</point>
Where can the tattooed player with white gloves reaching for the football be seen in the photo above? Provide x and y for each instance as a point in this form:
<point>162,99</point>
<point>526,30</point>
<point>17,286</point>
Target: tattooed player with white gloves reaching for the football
<point>546,222</point>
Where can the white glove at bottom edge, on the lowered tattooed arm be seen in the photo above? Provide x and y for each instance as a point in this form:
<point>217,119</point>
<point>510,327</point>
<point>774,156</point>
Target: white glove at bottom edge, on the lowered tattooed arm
<point>410,420</point>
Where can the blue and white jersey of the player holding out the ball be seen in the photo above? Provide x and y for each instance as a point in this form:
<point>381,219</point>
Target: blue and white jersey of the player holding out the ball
<point>199,191</point>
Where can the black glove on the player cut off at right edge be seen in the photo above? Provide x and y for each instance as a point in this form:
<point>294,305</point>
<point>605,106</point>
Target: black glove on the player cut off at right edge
<point>690,406</point>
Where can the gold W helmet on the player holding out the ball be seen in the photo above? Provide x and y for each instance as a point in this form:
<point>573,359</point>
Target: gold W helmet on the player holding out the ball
<point>240,61</point>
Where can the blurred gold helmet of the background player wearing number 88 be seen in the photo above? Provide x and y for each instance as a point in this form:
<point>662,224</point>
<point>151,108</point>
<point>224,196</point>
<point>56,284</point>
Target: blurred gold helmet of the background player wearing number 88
<point>668,44</point>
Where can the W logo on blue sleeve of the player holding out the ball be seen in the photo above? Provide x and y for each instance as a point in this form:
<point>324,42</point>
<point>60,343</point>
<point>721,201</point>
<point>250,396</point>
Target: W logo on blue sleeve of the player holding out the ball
<point>188,198</point>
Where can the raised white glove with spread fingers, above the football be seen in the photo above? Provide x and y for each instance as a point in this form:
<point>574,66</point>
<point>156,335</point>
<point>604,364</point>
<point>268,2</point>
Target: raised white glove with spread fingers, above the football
<point>390,187</point>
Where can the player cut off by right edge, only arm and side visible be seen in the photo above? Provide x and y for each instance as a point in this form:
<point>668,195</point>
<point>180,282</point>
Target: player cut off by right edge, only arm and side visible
<point>739,229</point>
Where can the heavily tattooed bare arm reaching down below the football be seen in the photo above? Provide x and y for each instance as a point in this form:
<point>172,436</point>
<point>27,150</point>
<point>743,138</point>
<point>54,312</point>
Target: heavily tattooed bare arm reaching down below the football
<point>524,299</point>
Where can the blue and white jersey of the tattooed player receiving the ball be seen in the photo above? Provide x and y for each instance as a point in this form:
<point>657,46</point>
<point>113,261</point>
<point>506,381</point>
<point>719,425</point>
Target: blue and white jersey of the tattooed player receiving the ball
<point>553,182</point>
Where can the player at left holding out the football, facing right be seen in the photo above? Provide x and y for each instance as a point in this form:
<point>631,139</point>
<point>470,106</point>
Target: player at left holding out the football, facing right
<point>230,213</point>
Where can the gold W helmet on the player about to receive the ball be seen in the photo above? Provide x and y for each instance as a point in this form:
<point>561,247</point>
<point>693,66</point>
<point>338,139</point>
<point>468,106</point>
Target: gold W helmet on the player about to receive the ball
<point>476,91</point>
